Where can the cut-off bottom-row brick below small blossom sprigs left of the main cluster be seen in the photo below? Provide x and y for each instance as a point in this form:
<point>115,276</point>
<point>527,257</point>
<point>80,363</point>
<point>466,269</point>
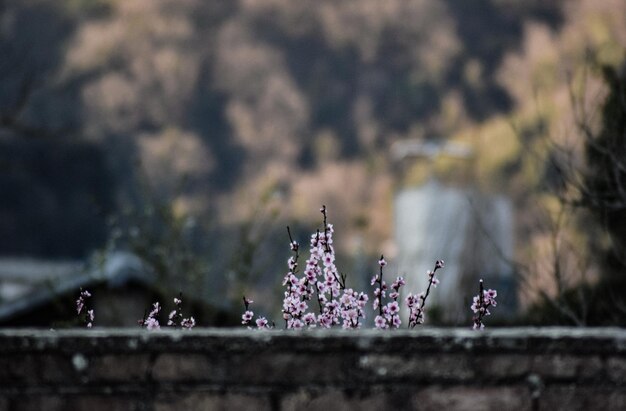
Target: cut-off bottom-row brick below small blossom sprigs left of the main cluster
<point>213,401</point>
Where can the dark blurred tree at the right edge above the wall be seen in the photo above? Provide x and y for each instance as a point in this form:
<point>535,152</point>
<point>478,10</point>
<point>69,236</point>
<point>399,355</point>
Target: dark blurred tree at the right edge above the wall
<point>601,188</point>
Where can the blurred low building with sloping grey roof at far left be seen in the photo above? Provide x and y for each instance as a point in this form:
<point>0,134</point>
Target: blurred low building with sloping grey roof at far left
<point>39,293</point>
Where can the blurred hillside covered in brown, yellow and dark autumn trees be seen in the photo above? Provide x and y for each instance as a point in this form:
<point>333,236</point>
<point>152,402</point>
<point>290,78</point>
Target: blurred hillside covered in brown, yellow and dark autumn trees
<point>246,114</point>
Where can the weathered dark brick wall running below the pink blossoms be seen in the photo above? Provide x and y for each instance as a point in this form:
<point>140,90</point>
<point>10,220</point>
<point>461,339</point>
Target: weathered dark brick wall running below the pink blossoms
<point>443,369</point>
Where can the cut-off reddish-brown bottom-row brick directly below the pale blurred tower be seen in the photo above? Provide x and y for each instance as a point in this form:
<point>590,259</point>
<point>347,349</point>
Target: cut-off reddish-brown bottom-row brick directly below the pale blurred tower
<point>472,398</point>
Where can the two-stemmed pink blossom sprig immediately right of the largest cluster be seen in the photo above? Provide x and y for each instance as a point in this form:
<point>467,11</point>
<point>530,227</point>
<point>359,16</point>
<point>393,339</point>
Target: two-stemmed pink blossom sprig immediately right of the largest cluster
<point>388,314</point>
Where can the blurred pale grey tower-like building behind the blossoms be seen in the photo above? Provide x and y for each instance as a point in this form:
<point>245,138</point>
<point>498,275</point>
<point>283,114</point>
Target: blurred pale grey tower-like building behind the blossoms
<point>471,231</point>
